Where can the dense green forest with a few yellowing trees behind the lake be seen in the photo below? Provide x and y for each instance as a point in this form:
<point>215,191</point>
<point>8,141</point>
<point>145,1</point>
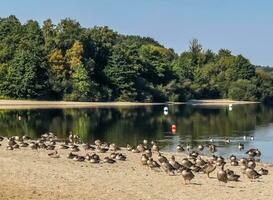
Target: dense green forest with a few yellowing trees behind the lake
<point>70,62</point>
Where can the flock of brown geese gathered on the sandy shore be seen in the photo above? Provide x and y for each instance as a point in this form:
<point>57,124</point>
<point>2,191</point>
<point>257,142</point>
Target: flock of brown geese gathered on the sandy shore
<point>151,156</point>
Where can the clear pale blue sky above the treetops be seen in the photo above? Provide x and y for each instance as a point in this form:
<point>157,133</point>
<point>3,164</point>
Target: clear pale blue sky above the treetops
<point>243,26</point>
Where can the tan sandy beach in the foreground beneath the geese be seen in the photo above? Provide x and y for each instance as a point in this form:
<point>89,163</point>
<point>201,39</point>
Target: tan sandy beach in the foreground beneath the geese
<point>31,174</point>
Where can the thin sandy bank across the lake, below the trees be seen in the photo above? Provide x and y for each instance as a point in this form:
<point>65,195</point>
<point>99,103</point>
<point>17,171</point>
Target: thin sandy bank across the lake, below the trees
<point>29,104</point>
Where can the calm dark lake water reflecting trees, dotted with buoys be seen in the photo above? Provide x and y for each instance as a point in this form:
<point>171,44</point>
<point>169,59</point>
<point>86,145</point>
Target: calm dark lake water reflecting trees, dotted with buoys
<point>122,125</point>
